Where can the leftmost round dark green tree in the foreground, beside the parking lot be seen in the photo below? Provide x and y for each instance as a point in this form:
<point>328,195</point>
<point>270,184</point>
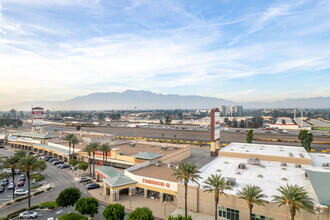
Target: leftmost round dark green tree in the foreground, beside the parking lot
<point>68,197</point>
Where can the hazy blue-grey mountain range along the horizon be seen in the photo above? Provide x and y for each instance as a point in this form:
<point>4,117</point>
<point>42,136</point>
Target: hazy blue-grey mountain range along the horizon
<point>132,99</point>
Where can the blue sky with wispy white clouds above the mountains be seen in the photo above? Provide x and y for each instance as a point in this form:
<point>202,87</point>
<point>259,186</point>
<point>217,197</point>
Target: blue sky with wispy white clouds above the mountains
<point>240,50</point>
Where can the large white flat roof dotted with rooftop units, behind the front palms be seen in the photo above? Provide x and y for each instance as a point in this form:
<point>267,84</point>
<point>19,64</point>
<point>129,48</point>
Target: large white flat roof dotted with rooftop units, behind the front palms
<point>262,176</point>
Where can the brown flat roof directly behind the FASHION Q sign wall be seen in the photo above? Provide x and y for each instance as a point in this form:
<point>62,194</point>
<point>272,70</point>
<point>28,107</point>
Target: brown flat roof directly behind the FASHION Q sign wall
<point>161,172</point>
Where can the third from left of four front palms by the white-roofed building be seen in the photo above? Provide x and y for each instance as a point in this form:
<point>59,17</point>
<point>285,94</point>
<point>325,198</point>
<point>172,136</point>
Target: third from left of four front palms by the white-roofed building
<point>253,195</point>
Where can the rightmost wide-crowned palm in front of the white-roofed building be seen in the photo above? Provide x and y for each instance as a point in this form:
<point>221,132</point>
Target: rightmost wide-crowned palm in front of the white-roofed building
<point>296,198</point>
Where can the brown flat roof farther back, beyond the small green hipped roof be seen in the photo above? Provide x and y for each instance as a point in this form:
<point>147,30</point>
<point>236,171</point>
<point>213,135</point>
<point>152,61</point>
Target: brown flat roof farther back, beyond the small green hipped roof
<point>130,151</point>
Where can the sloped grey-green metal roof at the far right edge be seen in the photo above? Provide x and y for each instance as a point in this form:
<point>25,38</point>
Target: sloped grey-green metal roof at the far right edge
<point>321,186</point>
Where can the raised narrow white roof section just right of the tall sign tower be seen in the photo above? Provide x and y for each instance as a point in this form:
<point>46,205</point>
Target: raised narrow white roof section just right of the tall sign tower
<point>271,150</point>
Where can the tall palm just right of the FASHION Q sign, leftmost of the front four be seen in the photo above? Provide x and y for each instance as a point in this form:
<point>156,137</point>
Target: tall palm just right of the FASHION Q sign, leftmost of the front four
<point>186,172</point>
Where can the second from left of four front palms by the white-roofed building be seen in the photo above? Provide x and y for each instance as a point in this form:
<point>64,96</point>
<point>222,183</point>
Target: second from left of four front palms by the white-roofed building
<point>217,184</point>
